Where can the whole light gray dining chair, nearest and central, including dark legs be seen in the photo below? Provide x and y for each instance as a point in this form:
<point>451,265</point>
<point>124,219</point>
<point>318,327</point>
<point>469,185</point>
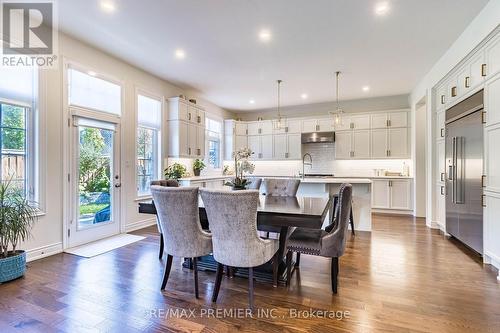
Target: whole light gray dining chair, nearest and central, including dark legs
<point>232,216</point>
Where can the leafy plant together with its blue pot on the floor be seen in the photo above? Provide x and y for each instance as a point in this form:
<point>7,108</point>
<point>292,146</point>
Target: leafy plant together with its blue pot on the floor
<point>17,216</point>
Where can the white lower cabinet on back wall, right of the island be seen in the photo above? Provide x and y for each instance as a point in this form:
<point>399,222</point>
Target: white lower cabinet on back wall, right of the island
<point>391,194</point>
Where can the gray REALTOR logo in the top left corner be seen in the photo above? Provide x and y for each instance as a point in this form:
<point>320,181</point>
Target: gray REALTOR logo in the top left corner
<point>28,33</point>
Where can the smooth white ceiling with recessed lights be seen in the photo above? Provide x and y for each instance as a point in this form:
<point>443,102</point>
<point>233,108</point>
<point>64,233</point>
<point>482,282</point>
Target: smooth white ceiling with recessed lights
<point>229,65</point>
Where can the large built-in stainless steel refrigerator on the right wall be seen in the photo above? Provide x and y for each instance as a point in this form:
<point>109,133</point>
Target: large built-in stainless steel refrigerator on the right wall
<point>464,172</point>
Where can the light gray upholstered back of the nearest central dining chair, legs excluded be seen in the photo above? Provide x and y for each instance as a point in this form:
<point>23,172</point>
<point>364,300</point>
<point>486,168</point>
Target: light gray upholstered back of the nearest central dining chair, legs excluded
<point>232,216</point>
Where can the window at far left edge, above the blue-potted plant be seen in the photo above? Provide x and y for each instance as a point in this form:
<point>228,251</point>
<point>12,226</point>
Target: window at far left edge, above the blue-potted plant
<point>18,129</point>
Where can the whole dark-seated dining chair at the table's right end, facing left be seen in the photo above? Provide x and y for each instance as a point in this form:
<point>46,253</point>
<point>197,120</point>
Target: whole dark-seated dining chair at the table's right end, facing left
<point>322,243</point>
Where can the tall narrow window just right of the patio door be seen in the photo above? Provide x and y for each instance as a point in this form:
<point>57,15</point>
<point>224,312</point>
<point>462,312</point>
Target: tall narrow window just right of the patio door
<point>148,142</point>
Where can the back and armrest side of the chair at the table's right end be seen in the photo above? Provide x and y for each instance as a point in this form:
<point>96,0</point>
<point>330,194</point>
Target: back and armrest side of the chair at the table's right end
<point>333,244</point>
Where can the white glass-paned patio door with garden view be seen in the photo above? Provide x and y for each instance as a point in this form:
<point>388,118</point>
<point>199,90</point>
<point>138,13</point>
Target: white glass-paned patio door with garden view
<point>95,181</point>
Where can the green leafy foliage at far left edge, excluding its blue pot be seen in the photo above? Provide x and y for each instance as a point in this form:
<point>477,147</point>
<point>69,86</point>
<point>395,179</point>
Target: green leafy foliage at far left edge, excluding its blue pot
<point>17,216</point>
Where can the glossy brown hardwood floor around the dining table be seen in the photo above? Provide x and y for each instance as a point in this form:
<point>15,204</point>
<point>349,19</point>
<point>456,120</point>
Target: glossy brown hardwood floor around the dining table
<point>402,278</point>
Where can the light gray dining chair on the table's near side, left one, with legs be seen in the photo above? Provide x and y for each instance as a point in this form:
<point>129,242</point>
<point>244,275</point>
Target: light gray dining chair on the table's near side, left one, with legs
<point>177,210</point>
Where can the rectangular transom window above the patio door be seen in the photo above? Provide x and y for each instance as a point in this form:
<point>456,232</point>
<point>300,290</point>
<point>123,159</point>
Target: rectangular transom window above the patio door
<point>88,91</point>
